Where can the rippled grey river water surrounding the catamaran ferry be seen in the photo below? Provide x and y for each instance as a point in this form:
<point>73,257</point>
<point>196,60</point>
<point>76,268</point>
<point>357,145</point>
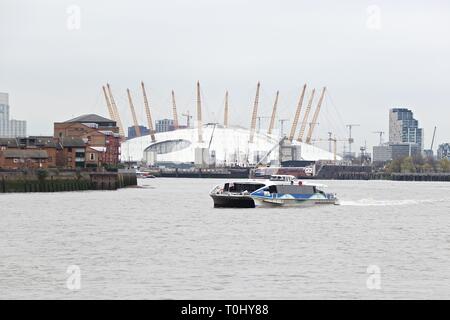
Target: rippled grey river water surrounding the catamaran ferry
<point>166,241</point>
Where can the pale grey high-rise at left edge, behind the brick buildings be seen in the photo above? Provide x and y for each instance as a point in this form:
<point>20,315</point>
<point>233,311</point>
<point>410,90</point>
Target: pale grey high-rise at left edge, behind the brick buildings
<point>10,128</point>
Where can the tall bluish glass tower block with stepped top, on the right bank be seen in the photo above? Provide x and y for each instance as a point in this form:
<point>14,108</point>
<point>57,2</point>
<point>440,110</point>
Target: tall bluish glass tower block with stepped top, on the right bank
<point>404,128</point>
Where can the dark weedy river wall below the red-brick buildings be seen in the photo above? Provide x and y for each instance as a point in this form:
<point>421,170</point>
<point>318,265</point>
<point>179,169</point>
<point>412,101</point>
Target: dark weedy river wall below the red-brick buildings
<point>55,181</point>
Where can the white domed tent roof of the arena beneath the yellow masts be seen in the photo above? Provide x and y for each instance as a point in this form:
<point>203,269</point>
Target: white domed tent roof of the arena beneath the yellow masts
<point>224,145</point>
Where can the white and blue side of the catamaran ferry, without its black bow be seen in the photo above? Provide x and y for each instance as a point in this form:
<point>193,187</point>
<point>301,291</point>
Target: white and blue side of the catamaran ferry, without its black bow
<point>295,193</point>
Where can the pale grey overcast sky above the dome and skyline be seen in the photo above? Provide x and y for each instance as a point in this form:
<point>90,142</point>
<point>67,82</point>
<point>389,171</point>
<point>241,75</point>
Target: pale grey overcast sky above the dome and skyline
<point>372,56</point>
